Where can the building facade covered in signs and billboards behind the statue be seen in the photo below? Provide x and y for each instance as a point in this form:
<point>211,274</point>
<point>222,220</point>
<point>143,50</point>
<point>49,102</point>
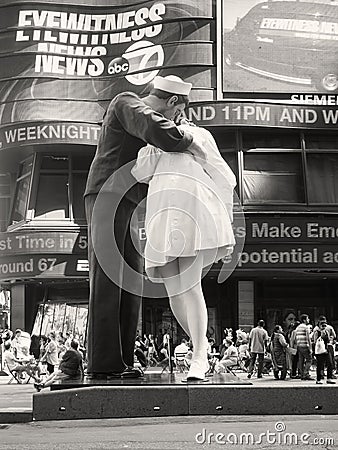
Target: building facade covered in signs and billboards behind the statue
<point>275,125</point>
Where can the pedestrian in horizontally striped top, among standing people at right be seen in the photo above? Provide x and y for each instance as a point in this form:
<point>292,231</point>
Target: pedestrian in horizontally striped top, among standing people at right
<point>304,347</point>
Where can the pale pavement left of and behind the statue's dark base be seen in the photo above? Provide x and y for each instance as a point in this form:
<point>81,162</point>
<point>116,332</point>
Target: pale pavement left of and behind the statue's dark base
<point>16,400</point>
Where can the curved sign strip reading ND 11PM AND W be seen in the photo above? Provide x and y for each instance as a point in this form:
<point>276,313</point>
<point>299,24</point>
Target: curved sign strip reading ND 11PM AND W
<point>263,114</point>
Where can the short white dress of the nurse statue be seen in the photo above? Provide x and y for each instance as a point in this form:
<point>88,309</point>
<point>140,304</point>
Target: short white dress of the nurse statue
<point>189,203</point>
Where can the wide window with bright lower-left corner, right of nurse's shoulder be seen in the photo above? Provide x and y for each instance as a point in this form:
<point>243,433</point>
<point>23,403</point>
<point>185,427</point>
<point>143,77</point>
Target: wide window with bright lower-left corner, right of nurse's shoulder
<point>273,178</point>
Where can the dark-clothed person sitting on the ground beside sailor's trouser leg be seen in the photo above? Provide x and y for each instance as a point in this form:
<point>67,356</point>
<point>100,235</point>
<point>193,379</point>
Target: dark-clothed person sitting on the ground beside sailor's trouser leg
<point>70,367</point>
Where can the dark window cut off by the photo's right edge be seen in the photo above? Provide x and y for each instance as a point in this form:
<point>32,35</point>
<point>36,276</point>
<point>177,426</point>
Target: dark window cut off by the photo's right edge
<point>322,177</point>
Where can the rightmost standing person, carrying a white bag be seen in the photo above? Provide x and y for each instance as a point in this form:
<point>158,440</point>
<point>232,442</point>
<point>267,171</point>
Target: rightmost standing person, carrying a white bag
<point>321,339</point>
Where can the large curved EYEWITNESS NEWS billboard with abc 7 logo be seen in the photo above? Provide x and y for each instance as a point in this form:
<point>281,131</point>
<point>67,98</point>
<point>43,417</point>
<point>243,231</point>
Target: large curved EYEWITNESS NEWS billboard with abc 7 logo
<point>61,61</point>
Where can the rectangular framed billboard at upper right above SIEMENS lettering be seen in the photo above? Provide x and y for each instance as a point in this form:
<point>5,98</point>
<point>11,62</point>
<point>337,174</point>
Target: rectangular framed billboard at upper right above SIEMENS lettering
<point>281,46</point>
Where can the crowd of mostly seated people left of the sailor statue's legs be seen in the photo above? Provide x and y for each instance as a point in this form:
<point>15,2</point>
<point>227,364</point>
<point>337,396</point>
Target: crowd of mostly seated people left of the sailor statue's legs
<point>58,357</point>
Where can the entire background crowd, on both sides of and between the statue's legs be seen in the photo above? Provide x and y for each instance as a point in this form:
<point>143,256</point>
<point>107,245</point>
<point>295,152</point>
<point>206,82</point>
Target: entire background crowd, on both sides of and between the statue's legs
<point>291,351</point>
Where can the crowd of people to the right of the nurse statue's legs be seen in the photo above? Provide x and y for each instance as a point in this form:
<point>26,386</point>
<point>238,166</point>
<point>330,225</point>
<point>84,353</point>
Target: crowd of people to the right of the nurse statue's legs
<point>289,352</point>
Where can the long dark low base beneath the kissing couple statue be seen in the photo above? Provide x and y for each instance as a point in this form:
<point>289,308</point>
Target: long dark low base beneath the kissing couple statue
<point>223,395</point>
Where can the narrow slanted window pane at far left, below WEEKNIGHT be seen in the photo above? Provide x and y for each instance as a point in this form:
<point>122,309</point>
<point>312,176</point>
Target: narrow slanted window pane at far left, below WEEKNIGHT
<point>21,195</point>
